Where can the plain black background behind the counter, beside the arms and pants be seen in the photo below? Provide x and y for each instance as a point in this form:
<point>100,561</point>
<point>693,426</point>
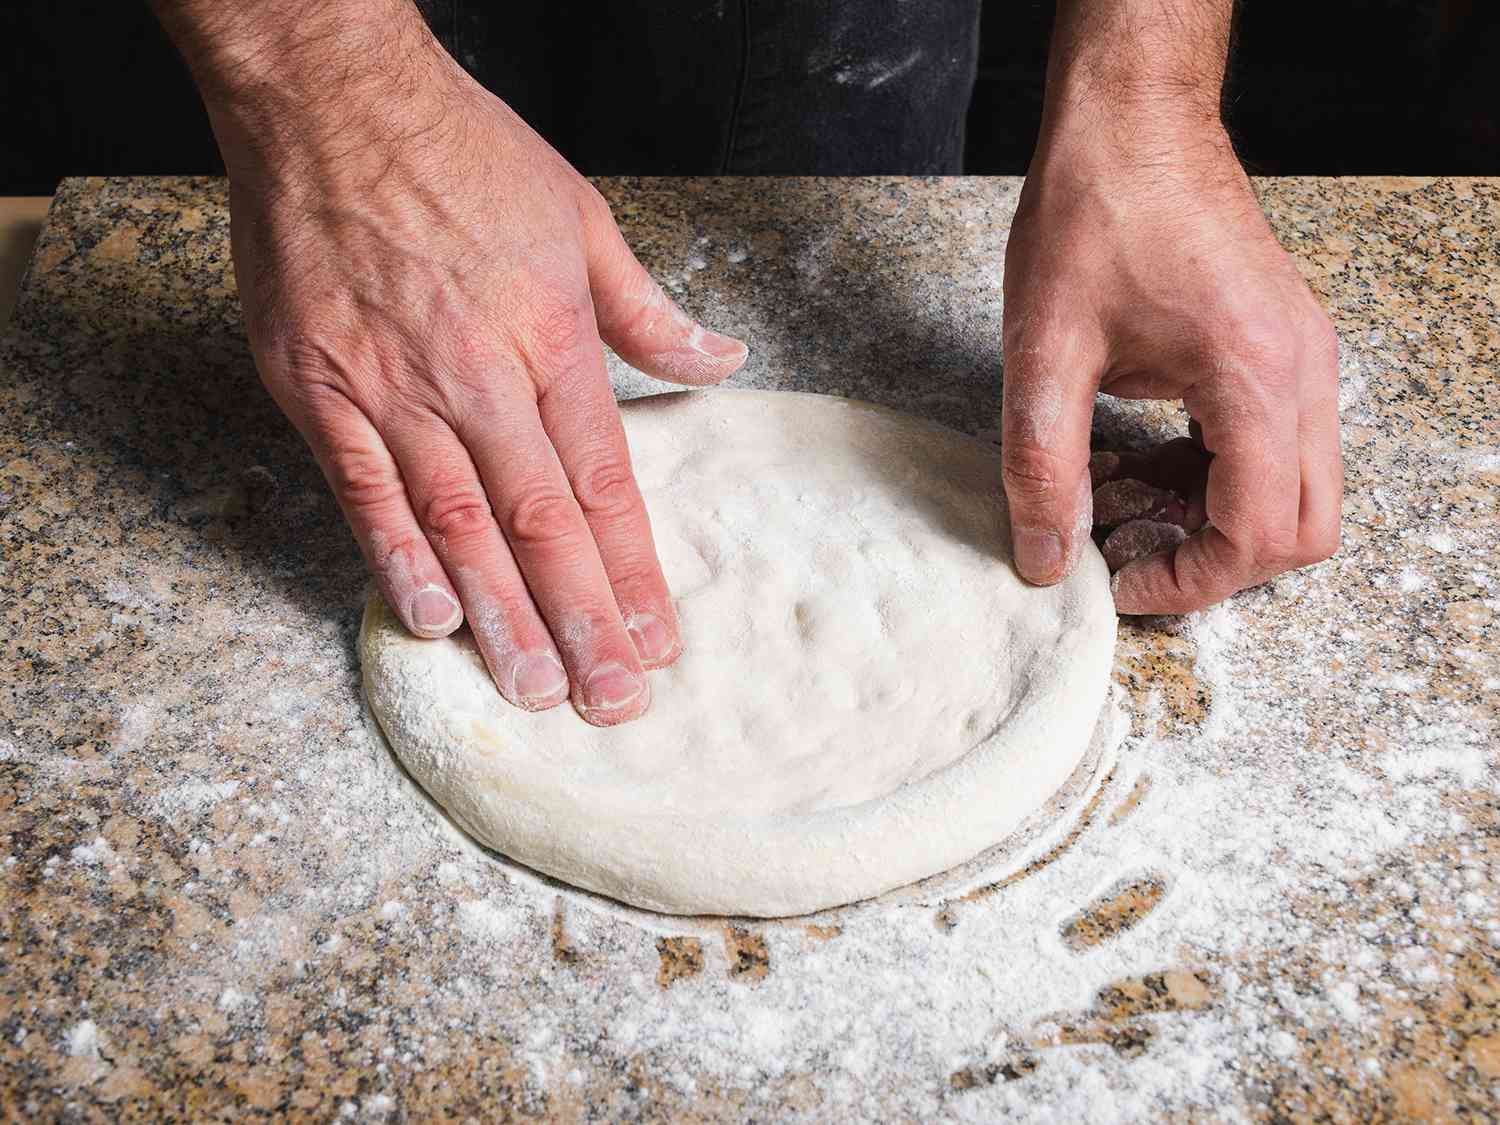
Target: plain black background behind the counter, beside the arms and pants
<point>1388,86</point>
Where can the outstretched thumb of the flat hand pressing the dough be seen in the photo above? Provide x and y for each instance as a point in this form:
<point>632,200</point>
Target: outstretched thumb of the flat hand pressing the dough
<point>644,326</point>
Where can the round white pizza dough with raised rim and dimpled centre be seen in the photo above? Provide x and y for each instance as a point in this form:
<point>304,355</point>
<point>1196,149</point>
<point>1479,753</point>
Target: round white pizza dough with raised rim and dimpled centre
<point>868,694</point>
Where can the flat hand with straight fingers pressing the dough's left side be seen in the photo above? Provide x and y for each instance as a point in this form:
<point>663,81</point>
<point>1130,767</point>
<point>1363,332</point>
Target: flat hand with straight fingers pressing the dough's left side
<point>427,284</point>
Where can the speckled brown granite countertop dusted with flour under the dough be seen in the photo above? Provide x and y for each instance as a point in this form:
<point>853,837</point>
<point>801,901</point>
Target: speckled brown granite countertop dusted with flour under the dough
<point>1277,899</point>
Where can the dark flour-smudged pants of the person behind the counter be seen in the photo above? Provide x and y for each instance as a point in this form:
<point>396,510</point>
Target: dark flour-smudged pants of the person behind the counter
<point>695,88</point>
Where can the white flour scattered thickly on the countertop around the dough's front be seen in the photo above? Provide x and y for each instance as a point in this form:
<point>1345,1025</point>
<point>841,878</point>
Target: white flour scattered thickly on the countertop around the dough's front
<point>1258,806</point>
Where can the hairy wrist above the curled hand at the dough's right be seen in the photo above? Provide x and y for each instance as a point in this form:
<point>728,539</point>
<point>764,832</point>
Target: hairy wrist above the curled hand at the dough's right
<point>1160,61</point>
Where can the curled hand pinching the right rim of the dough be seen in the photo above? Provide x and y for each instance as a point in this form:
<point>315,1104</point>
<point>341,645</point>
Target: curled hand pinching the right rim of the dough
<point>1147,271</point>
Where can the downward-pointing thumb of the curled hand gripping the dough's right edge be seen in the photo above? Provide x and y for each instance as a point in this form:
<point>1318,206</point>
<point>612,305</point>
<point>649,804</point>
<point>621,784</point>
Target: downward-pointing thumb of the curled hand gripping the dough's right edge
<point>1048,407</point>
